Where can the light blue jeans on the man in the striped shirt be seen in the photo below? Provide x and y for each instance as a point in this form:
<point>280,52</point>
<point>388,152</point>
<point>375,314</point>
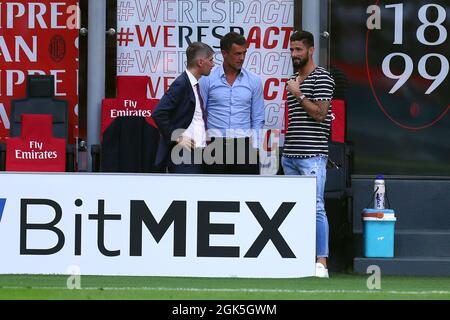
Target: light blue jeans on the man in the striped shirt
<point>316,166</point>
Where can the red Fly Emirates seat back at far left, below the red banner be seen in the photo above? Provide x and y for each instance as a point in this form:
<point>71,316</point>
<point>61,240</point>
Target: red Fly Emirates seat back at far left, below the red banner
<point>36,149</point>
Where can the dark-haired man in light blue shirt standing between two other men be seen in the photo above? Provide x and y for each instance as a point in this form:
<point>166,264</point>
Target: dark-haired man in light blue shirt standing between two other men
<point>234,104</point>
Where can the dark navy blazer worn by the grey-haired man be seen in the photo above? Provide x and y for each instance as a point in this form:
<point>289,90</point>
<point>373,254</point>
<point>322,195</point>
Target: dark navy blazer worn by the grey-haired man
<point>175,110</point>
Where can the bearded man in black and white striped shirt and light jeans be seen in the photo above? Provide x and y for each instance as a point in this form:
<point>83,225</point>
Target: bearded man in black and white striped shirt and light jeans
<point>305,150</point>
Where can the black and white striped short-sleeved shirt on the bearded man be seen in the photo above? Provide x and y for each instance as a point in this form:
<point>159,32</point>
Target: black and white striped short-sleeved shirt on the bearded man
<point>305,136</point>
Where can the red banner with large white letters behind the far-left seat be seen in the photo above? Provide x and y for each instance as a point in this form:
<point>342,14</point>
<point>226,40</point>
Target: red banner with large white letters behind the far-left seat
<point>38,38</point>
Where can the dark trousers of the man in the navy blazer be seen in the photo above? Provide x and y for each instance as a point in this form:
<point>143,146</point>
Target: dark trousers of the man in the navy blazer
<point>187,161</point>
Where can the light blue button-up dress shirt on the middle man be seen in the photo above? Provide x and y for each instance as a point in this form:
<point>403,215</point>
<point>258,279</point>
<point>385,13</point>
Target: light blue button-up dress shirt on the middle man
<point>233,111</point>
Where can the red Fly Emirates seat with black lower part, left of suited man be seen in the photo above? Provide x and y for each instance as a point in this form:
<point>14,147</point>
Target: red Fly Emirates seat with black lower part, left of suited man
<point>129,136</point>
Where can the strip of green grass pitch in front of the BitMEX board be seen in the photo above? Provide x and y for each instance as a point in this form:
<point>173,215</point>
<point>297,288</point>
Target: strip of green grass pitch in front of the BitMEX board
<point>339,286</point>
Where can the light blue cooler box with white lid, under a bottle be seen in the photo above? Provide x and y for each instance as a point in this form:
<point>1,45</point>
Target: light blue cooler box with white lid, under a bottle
<point>378,227</point>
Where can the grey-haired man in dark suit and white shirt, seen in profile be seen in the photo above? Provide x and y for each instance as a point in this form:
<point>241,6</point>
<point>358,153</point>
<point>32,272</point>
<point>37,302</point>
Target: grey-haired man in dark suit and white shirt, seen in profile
<point>180,114</point>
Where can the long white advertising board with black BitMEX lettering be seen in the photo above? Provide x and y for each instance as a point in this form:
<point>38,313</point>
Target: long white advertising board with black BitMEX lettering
<point>157,225</point>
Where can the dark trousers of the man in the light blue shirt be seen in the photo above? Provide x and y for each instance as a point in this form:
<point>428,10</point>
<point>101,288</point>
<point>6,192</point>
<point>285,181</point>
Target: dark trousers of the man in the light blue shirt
<point>232,155</point>
